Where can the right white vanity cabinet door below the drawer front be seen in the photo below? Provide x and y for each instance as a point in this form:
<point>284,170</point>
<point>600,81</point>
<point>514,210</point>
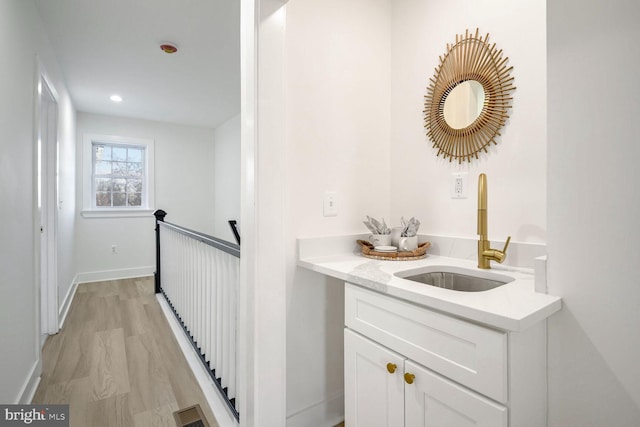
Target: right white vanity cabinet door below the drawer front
<point>432,400</point>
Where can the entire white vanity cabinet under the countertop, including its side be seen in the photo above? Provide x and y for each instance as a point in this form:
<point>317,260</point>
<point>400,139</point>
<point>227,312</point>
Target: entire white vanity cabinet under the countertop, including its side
<point>458,373</point>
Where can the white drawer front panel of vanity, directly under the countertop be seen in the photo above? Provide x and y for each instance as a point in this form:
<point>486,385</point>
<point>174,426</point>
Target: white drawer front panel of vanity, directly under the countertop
<point>467,353</point>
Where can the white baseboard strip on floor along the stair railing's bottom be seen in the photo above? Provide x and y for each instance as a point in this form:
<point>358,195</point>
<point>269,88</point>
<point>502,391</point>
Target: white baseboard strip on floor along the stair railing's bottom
<point>216,403</point>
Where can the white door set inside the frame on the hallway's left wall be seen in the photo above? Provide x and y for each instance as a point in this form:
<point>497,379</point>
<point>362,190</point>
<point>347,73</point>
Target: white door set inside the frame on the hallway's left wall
<point>47,146</point>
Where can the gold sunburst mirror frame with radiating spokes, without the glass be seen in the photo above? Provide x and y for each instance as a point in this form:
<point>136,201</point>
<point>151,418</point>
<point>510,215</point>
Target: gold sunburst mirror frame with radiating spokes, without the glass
<point>470,59</point>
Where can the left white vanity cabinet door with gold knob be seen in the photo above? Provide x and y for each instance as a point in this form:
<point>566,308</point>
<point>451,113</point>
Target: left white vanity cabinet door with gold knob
<point>374,396</point>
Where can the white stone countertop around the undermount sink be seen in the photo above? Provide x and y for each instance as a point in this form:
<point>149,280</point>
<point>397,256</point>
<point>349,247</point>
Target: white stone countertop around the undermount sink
<point>514,306</point>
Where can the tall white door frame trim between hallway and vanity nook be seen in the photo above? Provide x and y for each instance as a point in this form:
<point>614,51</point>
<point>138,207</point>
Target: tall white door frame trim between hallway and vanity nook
<point>263,272</point>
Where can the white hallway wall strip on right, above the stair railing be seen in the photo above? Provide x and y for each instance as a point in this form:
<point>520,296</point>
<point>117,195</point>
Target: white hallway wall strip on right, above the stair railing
<point>225,170</point>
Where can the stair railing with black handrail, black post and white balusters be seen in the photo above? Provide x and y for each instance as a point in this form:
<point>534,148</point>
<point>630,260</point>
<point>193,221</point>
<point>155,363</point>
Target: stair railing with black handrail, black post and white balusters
<point>198,275</point>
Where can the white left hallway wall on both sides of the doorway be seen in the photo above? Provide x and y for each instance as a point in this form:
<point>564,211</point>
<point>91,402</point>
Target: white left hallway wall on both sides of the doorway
<point>22,37</point>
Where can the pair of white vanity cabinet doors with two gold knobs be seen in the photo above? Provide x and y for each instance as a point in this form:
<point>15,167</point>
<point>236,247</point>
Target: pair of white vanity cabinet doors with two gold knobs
<point>384,389</point>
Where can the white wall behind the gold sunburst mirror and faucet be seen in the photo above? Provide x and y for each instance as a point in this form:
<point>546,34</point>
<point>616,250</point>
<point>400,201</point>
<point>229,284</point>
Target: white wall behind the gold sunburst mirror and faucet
<point>516,167</point>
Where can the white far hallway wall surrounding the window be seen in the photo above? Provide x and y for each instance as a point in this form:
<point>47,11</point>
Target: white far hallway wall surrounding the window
<point>183,189</point>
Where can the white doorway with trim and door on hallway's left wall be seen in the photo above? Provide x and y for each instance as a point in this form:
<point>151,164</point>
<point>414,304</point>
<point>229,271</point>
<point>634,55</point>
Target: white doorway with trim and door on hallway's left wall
<point>46,202</point>
